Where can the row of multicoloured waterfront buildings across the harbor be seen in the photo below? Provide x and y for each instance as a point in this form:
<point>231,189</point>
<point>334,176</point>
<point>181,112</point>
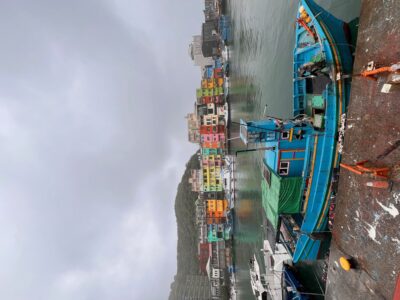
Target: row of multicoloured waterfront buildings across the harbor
<point>207,128</point>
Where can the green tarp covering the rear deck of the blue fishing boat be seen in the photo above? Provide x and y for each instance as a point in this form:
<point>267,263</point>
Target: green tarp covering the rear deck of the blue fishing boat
<point>281,196</point>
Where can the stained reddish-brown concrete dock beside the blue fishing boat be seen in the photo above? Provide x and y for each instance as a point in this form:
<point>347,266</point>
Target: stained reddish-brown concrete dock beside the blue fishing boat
<point>367,219</point>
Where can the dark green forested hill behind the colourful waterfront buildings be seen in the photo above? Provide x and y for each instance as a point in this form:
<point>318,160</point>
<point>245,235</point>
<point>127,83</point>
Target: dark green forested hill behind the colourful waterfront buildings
<point>187,261</point>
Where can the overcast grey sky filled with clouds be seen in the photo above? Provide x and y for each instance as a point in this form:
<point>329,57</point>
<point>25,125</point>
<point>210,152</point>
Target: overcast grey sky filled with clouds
<point>93,95</point>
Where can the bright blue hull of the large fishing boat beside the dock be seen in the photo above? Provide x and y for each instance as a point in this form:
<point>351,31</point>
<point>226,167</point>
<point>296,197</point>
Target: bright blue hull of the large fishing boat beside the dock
<point>322,147</point>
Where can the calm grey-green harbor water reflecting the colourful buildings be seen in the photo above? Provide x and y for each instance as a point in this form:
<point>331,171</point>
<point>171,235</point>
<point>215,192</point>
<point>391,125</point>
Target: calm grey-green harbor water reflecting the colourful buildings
<point>261,84</point>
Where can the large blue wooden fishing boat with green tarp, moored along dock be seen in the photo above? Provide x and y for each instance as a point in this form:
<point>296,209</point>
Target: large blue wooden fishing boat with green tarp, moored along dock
<point>302,154</point>
